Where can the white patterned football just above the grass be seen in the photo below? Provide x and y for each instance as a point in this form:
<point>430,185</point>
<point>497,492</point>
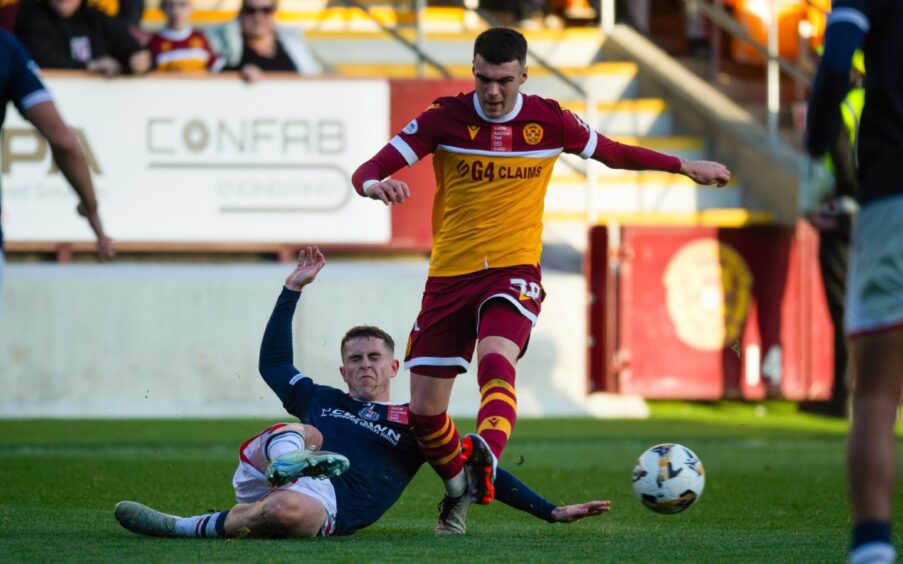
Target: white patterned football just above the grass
<point>668,478</point>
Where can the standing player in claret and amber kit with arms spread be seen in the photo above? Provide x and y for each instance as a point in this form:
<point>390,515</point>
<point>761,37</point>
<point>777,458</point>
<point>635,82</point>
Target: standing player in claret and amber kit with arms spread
<point>493,152</point>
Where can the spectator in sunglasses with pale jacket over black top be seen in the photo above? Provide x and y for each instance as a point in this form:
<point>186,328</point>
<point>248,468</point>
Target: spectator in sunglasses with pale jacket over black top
<point>253,43</point>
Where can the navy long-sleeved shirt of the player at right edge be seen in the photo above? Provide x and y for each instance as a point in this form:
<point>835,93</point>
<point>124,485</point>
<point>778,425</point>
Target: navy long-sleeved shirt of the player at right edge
<point>877,26</point>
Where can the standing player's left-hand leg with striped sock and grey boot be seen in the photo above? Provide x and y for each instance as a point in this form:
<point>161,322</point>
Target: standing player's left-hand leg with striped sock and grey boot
<point>440,444</point>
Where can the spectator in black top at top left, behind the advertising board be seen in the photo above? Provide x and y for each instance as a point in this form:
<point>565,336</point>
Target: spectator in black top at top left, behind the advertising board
<point>67,34</point>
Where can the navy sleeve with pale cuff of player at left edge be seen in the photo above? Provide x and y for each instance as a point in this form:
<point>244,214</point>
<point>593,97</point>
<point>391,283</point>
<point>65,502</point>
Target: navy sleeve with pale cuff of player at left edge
<point>19,82</point>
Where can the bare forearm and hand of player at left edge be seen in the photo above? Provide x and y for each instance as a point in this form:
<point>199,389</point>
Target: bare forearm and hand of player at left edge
<point>69,156</point>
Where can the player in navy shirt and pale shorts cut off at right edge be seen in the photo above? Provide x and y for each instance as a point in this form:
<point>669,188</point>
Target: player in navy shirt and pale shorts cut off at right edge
<point>874,297</point>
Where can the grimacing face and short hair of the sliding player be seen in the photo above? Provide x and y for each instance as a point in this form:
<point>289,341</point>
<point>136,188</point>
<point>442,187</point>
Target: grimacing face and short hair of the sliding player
<point>367,367</point>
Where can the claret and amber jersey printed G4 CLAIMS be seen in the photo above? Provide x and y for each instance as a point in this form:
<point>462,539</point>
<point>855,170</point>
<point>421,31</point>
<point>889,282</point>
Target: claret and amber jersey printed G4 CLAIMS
<point>491,177</point>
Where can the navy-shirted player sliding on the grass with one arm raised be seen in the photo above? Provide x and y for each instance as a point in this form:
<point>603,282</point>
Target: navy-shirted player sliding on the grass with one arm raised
<point>345,464</point>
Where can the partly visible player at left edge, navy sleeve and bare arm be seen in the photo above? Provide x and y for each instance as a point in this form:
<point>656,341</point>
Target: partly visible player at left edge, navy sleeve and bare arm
<point>21,85</point>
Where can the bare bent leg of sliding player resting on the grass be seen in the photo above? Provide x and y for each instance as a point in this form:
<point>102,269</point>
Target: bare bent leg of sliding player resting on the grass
<point>283,513</point>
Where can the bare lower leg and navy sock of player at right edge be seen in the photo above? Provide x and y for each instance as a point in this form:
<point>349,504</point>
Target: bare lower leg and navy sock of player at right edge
<point>872,449</point>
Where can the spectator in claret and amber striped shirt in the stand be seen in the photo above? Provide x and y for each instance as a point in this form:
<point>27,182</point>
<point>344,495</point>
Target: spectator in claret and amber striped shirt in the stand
<point>178,47</point>
